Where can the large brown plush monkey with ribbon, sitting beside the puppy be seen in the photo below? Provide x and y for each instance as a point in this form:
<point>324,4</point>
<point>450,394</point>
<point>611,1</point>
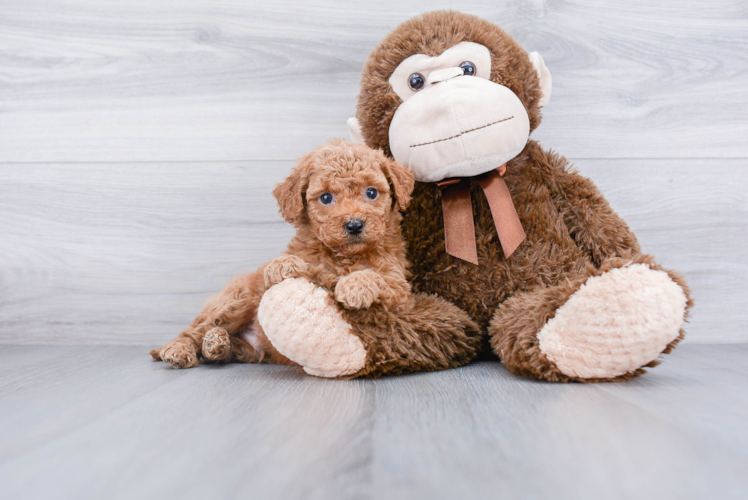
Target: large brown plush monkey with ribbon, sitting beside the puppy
<point>498,226</point>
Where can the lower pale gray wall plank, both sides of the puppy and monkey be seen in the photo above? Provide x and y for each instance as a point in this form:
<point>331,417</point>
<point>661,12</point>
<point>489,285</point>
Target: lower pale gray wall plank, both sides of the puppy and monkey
<point>127,253</point>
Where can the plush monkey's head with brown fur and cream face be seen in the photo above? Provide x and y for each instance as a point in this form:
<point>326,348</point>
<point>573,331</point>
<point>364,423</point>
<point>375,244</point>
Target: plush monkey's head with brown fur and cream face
<point>451,95</point>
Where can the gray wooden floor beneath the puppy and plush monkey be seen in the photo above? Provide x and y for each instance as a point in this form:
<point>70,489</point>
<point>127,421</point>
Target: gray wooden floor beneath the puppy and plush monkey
<point>107,422</point>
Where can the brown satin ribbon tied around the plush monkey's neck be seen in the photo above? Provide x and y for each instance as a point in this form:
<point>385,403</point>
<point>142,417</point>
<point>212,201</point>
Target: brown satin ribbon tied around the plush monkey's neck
<point>459,228</point>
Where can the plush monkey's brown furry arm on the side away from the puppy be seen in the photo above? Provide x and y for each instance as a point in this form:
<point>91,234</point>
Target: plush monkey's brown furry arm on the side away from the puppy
<point>592,223</point>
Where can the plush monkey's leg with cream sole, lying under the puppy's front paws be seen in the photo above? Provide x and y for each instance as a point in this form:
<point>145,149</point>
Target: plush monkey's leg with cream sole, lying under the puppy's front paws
<point>328,340</point>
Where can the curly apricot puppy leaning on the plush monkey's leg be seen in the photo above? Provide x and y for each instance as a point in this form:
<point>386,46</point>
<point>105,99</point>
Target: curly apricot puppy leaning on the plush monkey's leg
<point>344,200</point>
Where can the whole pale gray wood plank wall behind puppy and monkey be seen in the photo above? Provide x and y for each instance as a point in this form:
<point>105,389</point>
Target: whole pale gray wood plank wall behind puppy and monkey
<point>139,142</point>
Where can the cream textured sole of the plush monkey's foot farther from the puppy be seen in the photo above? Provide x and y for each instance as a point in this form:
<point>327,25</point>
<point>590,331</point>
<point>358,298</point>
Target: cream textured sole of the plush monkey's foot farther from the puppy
<point>615,323</point>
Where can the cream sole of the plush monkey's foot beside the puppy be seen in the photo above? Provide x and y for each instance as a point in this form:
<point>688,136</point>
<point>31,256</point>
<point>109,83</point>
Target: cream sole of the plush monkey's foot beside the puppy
<point>302,323</point>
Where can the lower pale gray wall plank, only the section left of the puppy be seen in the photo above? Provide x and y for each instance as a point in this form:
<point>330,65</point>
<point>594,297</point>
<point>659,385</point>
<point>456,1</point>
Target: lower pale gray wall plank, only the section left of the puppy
<point>128,253</point>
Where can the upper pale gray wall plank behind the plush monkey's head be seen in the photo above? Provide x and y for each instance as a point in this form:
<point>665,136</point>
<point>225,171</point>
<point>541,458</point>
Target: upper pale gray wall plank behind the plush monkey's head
<point>204,80</point>
